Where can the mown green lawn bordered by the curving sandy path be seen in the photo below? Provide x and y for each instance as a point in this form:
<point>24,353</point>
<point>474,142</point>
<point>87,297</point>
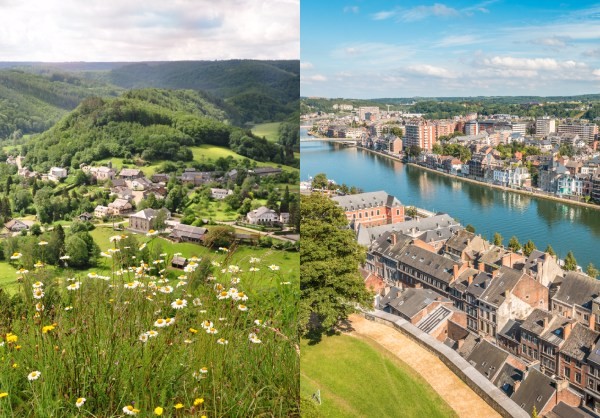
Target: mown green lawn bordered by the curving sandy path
<point>357,378</point>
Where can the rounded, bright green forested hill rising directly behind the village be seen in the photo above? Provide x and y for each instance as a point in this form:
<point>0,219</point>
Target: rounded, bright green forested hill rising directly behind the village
<point>148,124</point>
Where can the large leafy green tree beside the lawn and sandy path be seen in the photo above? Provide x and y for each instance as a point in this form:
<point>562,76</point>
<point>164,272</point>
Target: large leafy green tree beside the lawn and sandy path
<point>330,283</point>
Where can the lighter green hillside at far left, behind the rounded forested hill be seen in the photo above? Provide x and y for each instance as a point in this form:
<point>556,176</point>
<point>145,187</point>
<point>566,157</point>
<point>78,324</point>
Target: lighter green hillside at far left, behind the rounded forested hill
<point>31,103</point>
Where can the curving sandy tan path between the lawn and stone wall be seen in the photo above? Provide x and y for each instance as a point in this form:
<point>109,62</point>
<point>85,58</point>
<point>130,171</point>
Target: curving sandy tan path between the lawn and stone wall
<point>455,392</point>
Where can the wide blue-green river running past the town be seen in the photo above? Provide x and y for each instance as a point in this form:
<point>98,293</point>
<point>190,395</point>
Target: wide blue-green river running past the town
<point>489,210</point>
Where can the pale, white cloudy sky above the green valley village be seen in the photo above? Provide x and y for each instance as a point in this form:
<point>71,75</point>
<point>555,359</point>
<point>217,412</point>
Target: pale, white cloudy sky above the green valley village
<point>138,30</point>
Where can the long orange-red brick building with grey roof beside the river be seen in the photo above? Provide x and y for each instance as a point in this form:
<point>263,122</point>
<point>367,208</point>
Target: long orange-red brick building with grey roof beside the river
<point>371,209</point>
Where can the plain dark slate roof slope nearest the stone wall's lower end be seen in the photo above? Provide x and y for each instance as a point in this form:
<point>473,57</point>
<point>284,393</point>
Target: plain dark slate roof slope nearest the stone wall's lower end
<point>535,390</point>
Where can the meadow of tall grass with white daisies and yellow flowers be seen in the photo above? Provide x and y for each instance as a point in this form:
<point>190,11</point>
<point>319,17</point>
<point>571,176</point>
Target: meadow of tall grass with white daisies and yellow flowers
<point>138,338</point>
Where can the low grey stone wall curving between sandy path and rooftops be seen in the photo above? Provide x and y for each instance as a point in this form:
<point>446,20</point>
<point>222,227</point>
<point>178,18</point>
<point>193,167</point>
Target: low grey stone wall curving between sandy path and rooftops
<point>459,366</point>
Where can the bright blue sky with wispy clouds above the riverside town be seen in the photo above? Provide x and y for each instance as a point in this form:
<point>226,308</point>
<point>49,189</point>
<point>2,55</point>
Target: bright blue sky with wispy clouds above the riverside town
<point>368,49</point>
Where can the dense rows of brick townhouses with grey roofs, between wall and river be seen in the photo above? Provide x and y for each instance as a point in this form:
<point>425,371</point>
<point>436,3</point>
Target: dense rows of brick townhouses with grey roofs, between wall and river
<point>543,323</point>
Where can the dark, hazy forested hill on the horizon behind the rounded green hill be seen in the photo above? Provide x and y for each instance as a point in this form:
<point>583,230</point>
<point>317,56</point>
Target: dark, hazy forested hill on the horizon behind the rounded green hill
<point>251,90</point>
